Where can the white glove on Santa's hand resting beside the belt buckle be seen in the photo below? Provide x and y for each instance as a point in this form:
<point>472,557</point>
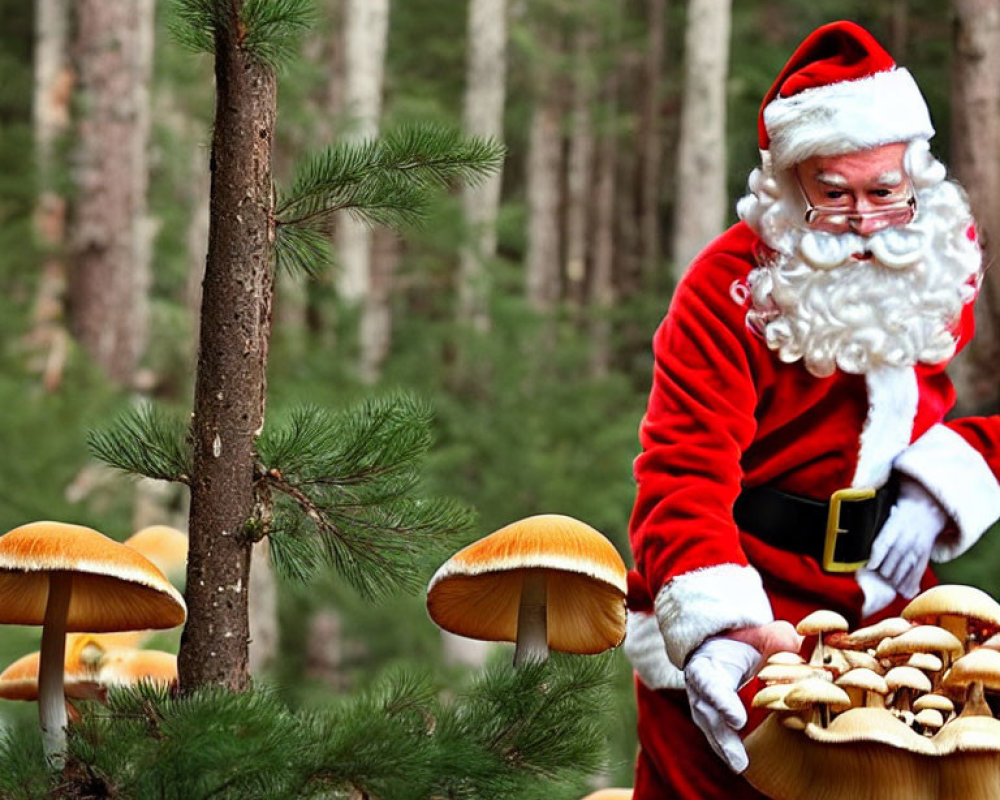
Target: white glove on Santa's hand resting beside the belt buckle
<point>902,548</point>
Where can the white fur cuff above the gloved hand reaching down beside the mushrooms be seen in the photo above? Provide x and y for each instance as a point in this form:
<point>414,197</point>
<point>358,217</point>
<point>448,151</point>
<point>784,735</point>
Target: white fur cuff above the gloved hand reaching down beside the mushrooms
<point>706,602</point>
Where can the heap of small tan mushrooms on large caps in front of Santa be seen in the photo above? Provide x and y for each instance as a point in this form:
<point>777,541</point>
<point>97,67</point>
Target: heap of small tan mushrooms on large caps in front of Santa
<point>896,709</point>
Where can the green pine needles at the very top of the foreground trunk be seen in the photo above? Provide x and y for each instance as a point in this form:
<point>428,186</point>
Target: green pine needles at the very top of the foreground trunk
<point>269,30</point>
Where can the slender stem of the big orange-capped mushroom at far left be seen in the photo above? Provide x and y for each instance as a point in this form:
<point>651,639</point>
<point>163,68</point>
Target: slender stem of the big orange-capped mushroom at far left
<point>51,698</point>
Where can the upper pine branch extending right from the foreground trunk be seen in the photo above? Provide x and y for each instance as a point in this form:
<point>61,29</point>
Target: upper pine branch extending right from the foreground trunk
<point>386,180</point>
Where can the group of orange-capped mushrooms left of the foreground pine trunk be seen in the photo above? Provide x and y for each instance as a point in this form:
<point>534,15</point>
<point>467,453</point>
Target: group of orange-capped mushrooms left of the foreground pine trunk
<point>97,601</point>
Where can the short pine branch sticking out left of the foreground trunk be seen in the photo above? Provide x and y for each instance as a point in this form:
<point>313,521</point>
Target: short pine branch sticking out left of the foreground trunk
<point>146,441</point>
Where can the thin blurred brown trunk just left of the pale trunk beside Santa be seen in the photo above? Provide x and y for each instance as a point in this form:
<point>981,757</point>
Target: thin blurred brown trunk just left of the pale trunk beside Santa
<point>651,145</point>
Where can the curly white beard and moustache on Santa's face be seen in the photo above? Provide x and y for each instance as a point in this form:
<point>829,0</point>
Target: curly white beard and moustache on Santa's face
<point>814,301</point>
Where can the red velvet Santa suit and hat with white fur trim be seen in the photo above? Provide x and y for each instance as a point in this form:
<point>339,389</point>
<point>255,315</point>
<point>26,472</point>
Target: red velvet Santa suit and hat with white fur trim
<point>725,413</point>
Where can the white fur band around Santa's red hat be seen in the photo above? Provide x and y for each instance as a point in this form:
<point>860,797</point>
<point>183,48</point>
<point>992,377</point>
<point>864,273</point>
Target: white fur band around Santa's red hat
<point>844,117</point>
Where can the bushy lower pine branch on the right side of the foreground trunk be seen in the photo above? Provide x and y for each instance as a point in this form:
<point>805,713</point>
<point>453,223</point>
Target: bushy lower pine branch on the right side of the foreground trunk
<point>344,487</point>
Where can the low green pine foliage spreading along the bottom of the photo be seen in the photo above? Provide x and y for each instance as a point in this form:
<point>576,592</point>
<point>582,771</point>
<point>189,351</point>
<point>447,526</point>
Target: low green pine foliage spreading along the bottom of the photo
<point>518,734</point>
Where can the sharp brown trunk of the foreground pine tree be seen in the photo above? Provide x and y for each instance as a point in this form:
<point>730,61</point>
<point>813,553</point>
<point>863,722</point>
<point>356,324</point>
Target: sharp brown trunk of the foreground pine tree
<point>230,383</point>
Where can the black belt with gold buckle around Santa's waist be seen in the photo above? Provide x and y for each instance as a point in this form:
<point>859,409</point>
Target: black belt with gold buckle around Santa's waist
<point>838,532</point>
